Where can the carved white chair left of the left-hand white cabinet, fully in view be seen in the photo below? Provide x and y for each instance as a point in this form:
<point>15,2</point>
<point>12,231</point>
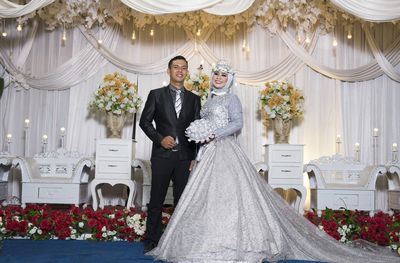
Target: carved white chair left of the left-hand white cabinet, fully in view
<point>58,177</point>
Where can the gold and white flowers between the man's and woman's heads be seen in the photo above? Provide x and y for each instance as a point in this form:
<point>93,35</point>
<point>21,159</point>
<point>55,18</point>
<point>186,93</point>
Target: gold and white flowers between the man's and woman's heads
<point>199,84</point>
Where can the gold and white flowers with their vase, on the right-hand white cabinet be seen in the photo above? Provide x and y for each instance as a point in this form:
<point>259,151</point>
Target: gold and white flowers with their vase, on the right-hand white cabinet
<point>281,102</point>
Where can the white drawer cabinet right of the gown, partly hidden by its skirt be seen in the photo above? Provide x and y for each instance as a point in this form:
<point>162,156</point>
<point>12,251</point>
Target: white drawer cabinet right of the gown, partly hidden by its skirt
<point>285,169</point>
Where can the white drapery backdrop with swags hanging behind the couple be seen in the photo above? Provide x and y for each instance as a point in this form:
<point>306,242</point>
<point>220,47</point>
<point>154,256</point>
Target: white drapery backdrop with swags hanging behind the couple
<point>63,77</point>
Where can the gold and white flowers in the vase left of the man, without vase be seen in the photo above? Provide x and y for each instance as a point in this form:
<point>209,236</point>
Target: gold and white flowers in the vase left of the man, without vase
<point>116,95</point>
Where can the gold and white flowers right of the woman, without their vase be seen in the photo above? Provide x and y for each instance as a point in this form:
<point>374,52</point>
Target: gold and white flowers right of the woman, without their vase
<point>281,99</point>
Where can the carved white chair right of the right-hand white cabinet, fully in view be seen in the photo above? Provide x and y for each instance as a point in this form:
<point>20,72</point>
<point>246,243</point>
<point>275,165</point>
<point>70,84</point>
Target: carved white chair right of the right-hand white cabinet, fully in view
<point>342,182</point>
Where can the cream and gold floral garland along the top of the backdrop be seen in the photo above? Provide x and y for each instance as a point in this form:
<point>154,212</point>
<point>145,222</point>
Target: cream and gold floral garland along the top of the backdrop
<point>304,15</point>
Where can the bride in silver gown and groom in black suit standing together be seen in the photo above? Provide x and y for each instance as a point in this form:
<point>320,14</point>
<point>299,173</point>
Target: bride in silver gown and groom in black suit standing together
<point>227,211</point>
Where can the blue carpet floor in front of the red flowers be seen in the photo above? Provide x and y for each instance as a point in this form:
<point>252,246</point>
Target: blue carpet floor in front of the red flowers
<point>65,251</point>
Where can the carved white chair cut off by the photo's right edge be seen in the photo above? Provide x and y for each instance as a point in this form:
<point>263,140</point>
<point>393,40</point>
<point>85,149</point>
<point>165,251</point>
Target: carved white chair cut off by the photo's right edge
<point>393,174</point>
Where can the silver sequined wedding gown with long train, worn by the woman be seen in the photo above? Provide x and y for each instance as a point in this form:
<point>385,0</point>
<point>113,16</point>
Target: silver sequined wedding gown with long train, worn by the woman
<point>228,212</point>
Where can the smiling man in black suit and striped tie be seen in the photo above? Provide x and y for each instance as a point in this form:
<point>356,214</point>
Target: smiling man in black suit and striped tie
<point>172,108</point>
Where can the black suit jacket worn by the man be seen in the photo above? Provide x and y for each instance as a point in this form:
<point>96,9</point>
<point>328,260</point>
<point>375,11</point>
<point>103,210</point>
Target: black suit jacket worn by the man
<point>160,108</point>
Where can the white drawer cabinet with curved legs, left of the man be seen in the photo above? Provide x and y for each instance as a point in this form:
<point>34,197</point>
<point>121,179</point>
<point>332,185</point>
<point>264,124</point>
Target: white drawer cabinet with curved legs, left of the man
<point>113,166</point>
